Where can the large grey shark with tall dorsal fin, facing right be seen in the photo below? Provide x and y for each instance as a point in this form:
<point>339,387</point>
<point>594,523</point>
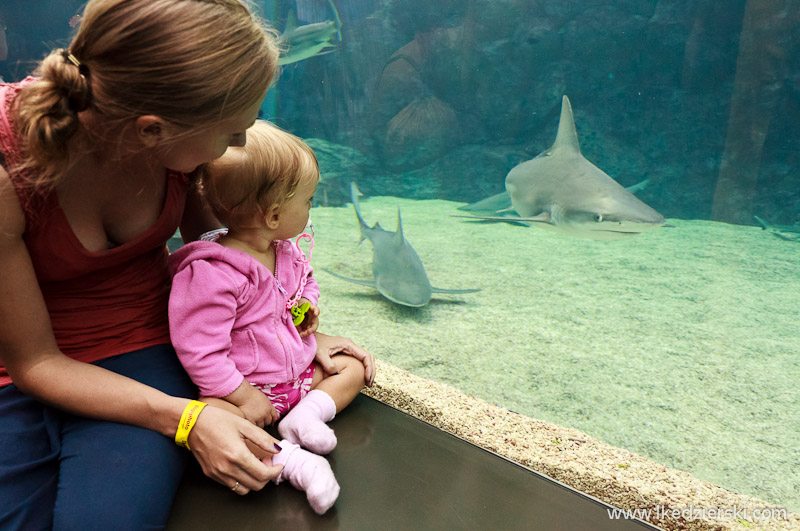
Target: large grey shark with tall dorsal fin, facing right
<point>561,191</point>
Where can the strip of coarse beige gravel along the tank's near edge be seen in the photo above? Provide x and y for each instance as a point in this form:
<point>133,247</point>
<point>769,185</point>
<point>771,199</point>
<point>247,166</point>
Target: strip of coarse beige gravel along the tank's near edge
<point>614,475</point>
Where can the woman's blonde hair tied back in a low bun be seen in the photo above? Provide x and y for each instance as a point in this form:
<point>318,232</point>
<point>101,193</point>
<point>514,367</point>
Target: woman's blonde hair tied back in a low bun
<point>191,62</point>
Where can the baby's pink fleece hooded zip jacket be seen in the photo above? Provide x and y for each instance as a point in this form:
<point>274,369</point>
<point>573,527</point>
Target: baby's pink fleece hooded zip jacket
<point>228,318</point>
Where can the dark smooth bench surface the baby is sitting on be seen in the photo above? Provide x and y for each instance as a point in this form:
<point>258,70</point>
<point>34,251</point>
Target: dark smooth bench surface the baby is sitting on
<point>398,473</point>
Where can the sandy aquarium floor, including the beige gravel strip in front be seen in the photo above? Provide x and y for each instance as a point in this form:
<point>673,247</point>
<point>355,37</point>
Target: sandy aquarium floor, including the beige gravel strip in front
<point>672,357</point>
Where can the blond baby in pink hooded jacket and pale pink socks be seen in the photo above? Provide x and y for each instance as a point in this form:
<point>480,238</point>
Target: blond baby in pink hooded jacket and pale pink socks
<point>243,309</point>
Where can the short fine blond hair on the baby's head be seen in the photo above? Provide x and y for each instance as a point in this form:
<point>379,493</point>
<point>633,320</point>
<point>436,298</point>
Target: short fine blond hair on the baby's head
<point>246,181</point>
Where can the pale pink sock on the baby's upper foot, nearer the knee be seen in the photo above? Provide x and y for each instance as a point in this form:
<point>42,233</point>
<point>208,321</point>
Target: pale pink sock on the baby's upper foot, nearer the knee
<point>305,423</point>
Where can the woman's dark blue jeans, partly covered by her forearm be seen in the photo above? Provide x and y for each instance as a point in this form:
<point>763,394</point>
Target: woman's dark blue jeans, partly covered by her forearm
<point>59,471</point>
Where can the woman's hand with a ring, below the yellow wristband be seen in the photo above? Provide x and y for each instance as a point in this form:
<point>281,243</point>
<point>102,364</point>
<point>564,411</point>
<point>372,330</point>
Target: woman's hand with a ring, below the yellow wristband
<point>218,442</point>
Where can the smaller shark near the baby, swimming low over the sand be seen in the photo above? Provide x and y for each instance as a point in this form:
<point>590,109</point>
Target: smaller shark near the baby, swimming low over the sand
<point>398,272</point>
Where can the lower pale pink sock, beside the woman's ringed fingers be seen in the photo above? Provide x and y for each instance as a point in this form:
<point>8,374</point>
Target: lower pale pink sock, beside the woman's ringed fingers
<point>308,472</point>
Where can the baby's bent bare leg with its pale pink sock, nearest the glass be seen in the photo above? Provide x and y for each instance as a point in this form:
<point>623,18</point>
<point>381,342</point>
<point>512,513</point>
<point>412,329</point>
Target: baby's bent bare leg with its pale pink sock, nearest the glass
<point>305,423</point>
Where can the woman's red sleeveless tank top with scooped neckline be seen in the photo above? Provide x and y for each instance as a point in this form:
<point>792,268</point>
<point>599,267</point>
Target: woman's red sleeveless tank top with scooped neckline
<point>100,303</point>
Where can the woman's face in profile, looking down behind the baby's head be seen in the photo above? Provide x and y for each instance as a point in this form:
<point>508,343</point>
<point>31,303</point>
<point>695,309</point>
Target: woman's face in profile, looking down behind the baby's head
<point>188,153</point>
